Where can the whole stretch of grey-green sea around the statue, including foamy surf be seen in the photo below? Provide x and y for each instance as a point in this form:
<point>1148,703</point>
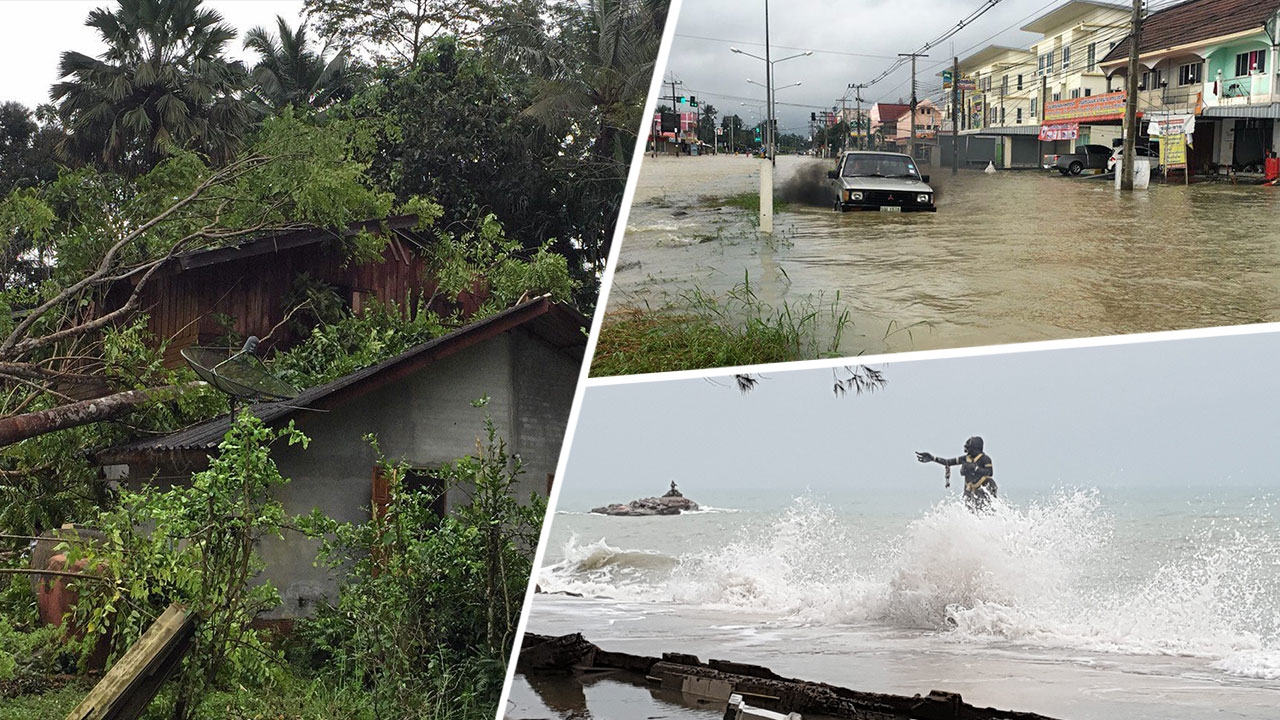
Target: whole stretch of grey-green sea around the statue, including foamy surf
<point>1075,604</point>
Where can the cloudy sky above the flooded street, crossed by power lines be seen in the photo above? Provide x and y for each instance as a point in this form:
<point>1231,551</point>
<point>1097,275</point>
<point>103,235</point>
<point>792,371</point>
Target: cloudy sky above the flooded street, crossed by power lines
<point>853,43</point>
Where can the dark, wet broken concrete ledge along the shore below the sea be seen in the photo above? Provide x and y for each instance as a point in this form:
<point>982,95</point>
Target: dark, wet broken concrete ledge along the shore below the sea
<point>719,680</point>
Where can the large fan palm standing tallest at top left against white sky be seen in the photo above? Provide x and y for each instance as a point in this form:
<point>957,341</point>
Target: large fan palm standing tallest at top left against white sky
<point>162,86</point>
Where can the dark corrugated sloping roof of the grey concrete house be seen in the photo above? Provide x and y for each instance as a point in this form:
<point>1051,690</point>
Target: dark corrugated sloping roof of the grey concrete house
<point>559,325</point>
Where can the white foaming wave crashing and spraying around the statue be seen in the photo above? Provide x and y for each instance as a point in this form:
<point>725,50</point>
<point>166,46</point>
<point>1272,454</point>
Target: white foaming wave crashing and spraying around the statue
<point>1050,575</point>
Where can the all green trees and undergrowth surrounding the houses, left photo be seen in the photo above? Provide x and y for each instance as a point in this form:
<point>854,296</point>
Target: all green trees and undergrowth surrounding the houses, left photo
<point>505,127</point>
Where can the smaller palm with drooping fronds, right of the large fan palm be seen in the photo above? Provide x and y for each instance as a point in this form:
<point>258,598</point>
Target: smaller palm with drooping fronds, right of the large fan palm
<point>292,74</point>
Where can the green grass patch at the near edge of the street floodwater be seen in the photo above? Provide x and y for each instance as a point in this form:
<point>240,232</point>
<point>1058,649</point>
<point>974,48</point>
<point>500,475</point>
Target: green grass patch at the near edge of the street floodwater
<point>701,331</point>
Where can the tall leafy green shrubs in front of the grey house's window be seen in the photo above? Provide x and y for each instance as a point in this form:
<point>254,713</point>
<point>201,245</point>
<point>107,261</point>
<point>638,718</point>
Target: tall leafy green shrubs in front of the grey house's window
<point>429,605</point>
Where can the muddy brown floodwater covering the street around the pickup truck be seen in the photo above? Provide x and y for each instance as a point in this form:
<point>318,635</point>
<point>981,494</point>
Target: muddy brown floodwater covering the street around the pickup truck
<point>1008,258</point>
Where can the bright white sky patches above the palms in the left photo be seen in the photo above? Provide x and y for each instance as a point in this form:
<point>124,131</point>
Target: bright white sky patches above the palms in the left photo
<point>34,35</point>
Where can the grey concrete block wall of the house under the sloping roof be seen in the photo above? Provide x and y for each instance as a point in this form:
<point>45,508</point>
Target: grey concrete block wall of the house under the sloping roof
<point>426,421</point>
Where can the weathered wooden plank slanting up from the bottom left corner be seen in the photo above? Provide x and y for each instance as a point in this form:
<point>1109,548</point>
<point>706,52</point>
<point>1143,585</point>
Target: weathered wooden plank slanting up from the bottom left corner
<point>130,686</point>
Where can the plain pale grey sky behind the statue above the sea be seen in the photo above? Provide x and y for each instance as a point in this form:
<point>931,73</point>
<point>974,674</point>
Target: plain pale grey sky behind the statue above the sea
<point>1178,414</point>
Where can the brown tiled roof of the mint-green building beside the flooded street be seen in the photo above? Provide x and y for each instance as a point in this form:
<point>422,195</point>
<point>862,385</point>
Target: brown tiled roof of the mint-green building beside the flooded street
<point>1196,21</point>
